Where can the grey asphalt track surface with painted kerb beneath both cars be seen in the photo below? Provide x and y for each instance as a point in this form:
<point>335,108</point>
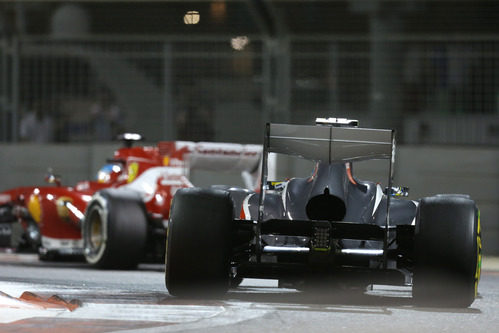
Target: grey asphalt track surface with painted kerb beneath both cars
<point>90,300</point>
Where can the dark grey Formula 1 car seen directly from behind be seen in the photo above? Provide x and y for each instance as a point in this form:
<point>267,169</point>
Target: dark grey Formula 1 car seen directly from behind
<point>329,230</point>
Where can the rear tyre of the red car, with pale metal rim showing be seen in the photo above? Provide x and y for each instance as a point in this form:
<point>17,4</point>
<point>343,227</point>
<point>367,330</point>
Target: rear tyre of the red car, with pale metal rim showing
<point>114,230</point>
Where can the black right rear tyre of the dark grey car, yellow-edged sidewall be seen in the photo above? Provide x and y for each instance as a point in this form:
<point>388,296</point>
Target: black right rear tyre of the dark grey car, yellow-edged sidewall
<point>447,252</point>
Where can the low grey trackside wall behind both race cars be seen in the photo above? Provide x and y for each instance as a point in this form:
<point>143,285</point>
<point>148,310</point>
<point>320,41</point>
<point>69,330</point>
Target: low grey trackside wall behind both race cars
<point>426,170</point>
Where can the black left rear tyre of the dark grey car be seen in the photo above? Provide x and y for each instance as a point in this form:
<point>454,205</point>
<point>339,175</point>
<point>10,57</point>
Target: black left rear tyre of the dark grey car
<point>198,246</point>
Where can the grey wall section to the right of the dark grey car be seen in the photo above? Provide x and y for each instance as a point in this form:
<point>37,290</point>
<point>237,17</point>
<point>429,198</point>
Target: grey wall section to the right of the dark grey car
<point>470,170</point>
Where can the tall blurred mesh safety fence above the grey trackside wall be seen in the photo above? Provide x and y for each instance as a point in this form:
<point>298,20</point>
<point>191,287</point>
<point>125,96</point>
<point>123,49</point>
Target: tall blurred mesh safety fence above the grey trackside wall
<point>432,89</point>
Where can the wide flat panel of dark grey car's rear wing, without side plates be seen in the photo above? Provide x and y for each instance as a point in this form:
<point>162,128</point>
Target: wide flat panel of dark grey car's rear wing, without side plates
<point>329,144</point>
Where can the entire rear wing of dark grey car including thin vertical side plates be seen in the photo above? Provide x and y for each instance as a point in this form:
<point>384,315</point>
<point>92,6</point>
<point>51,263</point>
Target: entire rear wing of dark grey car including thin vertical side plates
<point>329,143</point>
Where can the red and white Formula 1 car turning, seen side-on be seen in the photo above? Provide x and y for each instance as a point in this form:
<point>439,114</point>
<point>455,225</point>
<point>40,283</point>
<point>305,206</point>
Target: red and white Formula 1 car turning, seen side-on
<point>120,219</point>
